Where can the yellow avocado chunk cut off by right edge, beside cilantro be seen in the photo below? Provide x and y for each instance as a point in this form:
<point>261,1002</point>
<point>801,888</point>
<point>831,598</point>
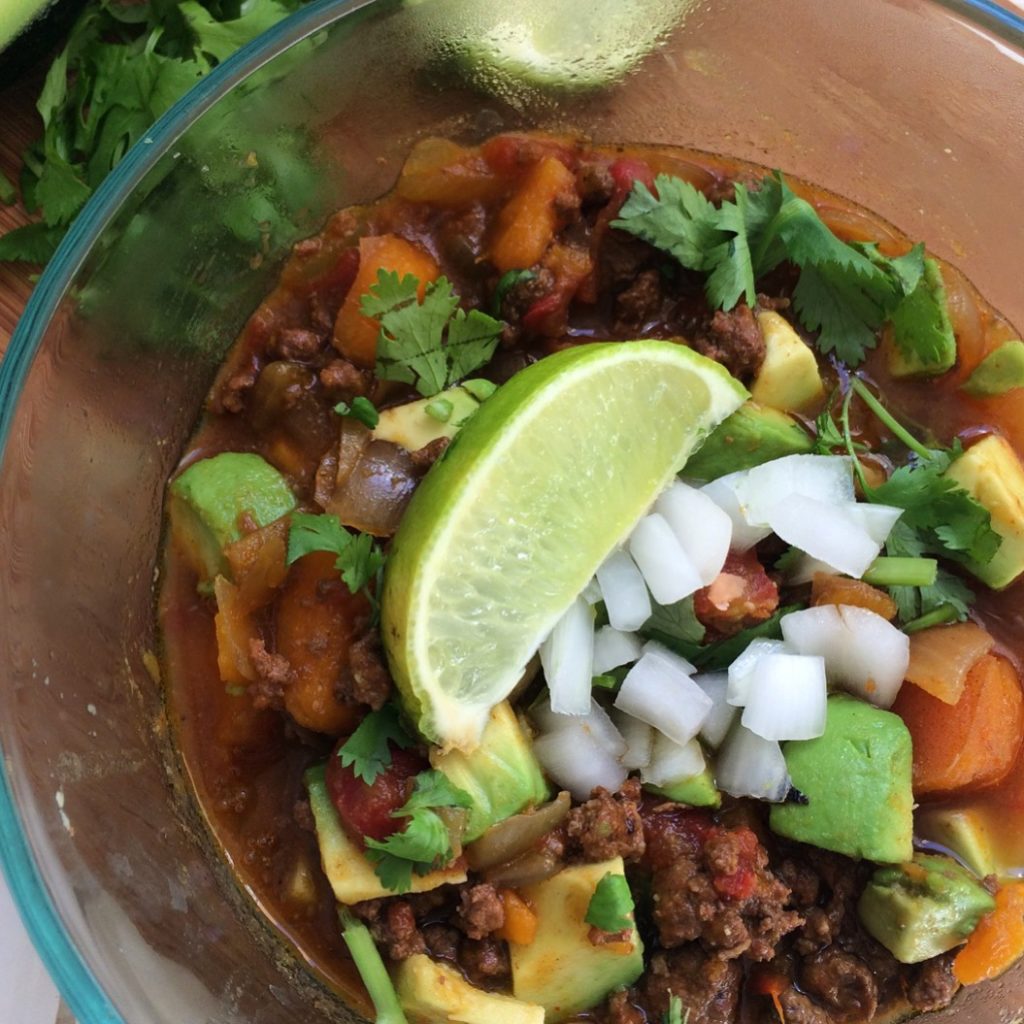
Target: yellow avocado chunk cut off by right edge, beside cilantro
<point>993,474</point>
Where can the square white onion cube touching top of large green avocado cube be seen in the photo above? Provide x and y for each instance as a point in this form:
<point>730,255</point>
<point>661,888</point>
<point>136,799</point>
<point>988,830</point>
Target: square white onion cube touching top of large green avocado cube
<point>787,698</point>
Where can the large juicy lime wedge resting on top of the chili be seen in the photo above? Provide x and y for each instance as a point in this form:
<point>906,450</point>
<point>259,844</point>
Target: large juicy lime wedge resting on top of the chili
<point>550,475</point>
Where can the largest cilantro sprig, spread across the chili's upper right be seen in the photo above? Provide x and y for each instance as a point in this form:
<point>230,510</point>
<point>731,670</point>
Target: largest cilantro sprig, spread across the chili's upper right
<point>845,292</point>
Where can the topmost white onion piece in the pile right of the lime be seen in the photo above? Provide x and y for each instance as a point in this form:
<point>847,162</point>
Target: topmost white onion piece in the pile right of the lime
<point>827,479</point>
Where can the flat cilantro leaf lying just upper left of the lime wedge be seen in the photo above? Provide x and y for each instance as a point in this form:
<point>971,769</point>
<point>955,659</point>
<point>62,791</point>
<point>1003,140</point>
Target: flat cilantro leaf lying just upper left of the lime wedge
<point>431,345</point>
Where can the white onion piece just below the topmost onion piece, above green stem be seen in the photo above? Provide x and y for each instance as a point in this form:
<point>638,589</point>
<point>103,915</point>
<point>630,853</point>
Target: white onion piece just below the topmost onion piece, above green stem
<point>836,534</point>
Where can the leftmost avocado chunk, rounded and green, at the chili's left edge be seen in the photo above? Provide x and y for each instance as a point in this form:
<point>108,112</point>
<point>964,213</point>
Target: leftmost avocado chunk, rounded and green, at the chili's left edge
<point>211,500</point>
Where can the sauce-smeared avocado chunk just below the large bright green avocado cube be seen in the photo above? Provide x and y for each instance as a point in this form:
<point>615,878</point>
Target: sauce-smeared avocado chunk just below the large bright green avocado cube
<point>923,909</point>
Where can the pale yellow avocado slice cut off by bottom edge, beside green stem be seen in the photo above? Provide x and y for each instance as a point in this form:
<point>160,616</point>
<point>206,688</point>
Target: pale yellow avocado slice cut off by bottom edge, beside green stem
<point>434,994</point>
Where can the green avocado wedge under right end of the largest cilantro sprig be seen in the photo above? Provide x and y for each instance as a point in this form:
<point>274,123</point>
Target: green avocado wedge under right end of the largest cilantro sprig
<point>924,344</point>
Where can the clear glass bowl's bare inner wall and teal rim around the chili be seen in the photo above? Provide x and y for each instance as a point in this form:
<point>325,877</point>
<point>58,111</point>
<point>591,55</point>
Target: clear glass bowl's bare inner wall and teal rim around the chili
<point>914,109</point>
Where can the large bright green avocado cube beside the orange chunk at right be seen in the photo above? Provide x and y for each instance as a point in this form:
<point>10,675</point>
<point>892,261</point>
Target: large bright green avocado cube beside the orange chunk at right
<point>857,779</point>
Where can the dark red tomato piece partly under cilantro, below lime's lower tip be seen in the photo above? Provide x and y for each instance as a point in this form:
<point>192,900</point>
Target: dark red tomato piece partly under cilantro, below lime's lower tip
<point>366,810</point>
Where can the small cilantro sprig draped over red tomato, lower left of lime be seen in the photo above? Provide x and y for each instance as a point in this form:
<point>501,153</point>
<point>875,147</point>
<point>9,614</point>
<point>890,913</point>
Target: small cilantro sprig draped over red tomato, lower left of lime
<point>425,843</point>
